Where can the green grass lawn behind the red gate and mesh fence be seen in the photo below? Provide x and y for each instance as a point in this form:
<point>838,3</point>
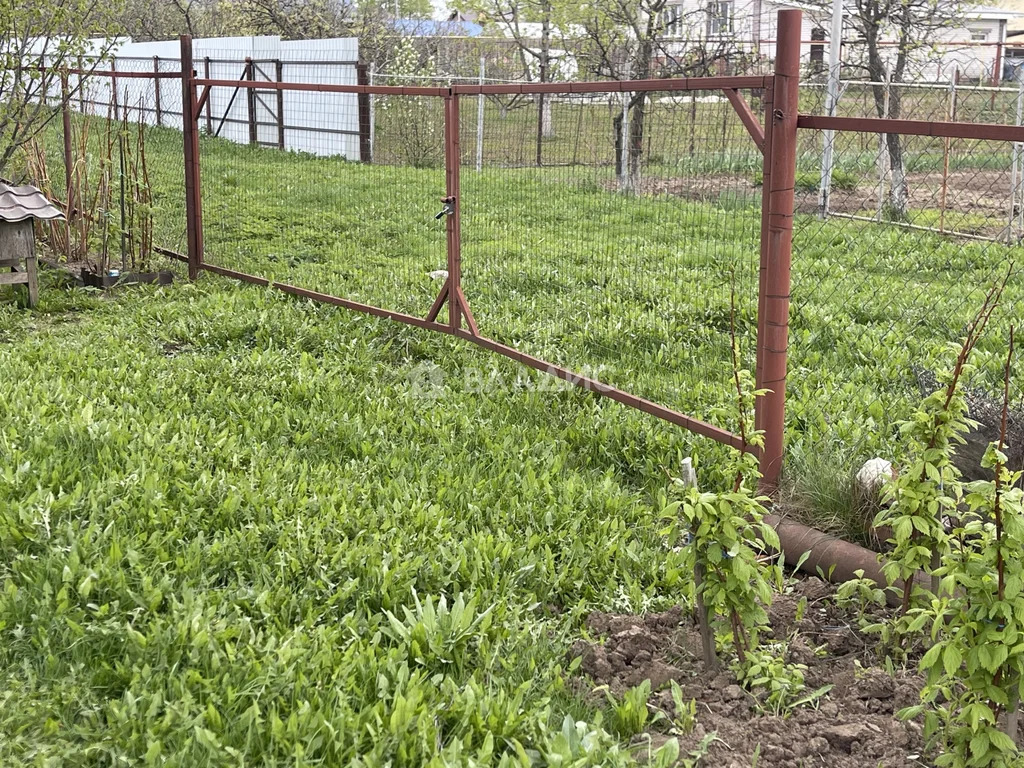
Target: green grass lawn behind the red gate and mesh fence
<point>634,288</point>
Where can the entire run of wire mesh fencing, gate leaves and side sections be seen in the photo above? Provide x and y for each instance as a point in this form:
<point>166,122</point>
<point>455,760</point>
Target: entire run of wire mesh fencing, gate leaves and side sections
<point>603,230</point>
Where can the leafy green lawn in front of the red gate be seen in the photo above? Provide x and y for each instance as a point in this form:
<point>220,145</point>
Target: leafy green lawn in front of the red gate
<point>227,524</point>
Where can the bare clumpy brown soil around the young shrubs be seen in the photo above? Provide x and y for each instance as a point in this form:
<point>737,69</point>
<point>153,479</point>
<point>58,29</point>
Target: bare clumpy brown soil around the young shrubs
<point>852,727</point>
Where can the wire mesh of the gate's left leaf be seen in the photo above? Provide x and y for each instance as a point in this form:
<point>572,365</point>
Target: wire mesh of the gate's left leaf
<point>364,232</point>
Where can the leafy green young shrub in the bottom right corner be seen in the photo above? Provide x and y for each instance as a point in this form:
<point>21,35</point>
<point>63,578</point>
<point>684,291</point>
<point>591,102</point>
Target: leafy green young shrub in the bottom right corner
<point>976,665</point>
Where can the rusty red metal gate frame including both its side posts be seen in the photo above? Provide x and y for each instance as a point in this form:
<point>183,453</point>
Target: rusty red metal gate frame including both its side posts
<point>776,138</point>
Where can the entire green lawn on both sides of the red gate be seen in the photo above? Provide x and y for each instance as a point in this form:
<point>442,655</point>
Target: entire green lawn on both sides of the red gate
<point>229,519</point>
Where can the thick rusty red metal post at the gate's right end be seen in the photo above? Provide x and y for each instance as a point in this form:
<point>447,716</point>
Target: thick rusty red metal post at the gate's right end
<point>777,245</point>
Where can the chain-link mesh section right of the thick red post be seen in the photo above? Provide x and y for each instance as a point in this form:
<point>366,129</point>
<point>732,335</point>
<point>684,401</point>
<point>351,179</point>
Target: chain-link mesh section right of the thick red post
<point>886,282</point>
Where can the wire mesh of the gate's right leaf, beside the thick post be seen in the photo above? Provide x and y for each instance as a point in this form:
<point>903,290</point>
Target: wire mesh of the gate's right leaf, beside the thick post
<point>622,261</point>
